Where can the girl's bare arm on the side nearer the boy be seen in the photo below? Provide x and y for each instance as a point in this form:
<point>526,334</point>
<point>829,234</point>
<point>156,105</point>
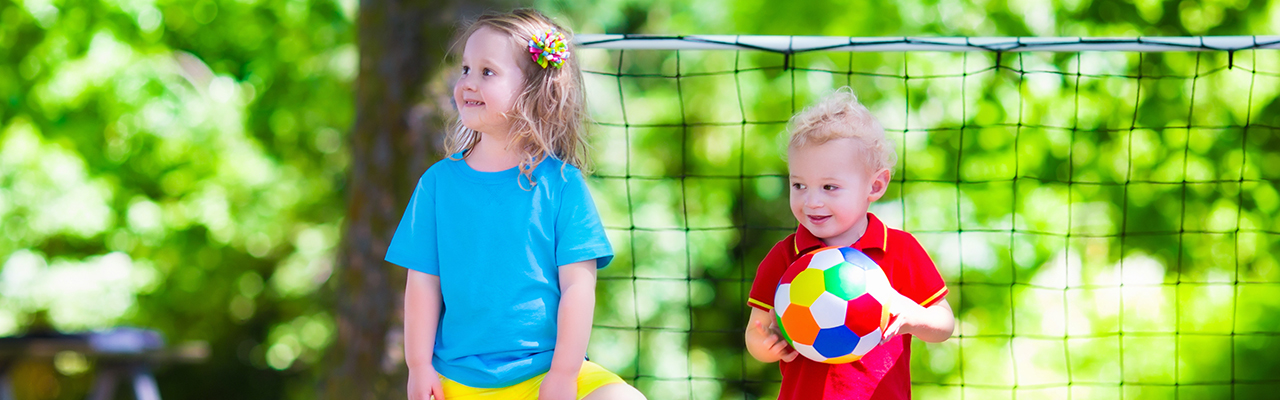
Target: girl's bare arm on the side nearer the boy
<point>574,330</point>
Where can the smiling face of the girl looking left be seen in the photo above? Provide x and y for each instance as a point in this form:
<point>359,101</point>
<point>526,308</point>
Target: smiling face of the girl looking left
<point>491,81</point>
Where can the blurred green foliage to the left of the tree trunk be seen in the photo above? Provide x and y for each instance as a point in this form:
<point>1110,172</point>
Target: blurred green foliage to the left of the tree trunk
<point>177,166</point>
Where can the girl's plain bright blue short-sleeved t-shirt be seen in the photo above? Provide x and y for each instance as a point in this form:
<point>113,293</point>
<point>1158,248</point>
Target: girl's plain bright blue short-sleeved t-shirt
<point>497,248</point>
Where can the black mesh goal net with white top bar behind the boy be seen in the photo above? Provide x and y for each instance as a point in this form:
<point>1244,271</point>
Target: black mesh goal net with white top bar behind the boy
<point>1107,212</point>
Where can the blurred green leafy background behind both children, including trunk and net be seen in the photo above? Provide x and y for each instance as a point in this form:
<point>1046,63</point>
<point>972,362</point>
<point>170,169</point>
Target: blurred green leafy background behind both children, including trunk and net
<point>228,172</point>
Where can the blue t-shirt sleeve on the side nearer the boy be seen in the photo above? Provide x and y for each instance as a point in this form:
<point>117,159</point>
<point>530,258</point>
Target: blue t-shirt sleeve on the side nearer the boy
<point>579,231</point>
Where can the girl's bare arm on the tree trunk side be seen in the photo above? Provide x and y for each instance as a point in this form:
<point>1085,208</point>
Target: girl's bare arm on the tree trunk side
<point>422,320</point>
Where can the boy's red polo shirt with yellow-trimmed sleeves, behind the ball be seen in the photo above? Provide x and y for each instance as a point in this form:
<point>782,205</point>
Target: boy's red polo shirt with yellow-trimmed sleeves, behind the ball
<point>886,371</point>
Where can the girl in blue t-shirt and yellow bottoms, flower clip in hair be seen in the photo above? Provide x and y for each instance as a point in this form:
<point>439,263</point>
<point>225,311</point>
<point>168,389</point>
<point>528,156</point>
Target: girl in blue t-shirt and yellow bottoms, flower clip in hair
<point>502,239</point>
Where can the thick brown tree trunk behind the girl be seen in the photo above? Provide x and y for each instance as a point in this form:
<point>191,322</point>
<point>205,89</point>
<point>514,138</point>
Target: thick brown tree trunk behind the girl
<point>403,103</point>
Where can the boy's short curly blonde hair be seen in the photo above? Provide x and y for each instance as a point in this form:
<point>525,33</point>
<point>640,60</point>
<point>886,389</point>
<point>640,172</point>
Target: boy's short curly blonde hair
<point>840,116</point>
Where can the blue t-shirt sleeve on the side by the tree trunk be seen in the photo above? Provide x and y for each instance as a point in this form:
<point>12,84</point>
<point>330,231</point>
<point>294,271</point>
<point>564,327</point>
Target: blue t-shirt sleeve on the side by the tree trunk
<point>415,246</point>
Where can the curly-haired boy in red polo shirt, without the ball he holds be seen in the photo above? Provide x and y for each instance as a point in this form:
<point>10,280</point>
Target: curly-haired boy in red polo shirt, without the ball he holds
<point>840,162</point>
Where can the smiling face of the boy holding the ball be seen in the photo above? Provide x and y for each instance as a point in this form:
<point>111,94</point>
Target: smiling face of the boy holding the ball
<point>831,190</point>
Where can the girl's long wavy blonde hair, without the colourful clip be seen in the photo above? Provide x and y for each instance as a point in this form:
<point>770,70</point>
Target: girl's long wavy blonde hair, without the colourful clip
<point>548,116</point>
